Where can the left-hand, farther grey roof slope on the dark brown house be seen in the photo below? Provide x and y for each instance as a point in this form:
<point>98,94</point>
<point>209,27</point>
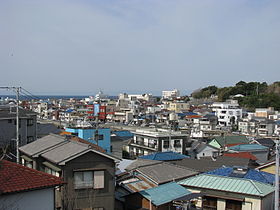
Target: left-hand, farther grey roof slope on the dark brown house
<point>42,145</point>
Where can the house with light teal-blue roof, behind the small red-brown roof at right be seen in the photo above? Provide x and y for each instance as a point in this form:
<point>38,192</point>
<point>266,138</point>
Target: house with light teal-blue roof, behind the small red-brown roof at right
<point>259,151</point>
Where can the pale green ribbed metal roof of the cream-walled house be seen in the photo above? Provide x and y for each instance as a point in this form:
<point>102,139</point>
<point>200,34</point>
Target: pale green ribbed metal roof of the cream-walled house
<point>229,184</point>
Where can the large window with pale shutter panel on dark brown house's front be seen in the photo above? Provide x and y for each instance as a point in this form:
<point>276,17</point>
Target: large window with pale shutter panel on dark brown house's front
<point>89,179</point>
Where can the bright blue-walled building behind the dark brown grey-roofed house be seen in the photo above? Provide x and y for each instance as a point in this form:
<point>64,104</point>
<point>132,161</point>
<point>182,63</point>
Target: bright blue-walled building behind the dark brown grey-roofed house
<point>98,136</point>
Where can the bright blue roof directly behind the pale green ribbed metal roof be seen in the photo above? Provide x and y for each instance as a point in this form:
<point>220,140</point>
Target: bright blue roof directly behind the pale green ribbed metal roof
<point>251,174</point>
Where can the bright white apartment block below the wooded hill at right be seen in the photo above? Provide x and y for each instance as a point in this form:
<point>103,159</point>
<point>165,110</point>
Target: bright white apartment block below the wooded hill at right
<point>227,112</point>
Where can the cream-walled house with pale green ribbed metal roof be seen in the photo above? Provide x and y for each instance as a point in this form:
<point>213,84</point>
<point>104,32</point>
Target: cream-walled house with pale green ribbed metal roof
<point>223,192</point>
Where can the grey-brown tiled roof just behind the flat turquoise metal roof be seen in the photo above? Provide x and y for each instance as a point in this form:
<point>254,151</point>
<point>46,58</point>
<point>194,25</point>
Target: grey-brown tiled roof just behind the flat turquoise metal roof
<point>165,172</point>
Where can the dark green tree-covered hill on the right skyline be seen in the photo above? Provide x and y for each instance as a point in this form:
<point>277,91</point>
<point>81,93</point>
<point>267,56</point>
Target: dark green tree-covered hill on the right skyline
<point>254,94</point>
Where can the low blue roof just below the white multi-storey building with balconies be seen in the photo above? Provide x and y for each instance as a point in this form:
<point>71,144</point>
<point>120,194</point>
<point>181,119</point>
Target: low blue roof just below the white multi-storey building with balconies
<point>164,156</point>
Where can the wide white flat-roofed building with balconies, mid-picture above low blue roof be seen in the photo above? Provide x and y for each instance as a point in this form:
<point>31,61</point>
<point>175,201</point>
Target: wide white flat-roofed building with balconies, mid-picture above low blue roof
<point>147,141</point>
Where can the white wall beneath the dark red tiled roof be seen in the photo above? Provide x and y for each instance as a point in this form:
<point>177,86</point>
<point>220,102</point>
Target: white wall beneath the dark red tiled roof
<point>33,200</point>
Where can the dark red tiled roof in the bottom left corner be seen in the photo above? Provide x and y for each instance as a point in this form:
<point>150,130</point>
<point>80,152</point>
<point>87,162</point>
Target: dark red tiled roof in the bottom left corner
<point>16,178</point>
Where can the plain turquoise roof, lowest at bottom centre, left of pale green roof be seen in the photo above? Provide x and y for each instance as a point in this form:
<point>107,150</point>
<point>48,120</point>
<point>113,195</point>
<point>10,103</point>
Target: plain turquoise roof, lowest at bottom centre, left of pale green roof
<point>165,193</point>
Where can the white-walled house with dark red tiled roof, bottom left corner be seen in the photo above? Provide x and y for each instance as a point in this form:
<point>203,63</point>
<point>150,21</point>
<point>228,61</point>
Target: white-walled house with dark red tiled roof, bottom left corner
<point>24,188</point>
